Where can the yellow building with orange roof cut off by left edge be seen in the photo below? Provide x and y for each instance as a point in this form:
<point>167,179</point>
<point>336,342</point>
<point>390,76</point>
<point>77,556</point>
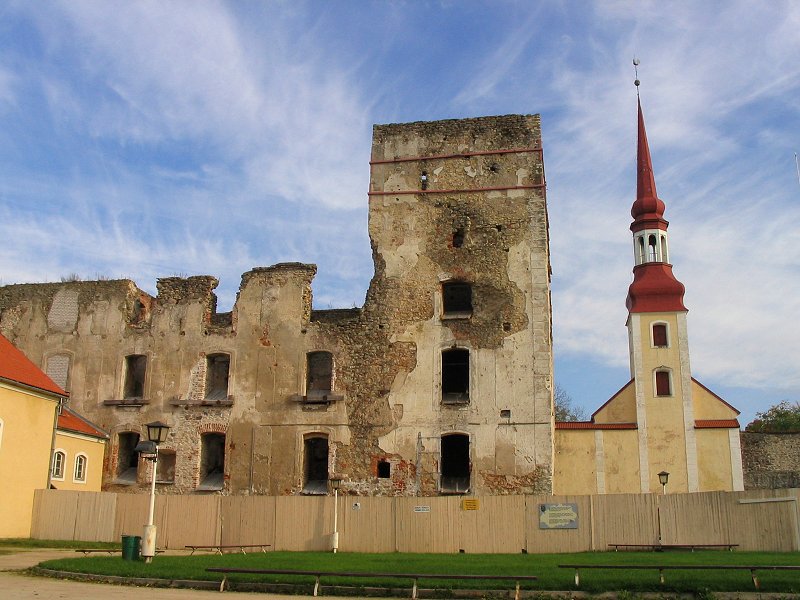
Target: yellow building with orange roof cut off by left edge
<point>29,403</point>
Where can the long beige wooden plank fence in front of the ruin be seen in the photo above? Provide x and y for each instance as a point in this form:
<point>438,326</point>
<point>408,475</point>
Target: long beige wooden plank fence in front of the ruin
<point>755,520</point>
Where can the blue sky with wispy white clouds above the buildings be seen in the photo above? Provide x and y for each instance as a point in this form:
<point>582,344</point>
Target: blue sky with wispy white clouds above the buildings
<point>153,139</point>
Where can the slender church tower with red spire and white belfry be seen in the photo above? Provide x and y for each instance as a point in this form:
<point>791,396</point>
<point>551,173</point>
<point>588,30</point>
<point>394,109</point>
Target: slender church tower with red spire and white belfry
<point>658,342</point>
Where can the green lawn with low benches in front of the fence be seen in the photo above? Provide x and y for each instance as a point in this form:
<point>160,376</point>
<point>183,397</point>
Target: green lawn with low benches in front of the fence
<point>544,566</point>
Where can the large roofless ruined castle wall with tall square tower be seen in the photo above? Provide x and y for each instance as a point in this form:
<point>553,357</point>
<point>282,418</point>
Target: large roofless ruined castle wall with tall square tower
<point>459,200</point>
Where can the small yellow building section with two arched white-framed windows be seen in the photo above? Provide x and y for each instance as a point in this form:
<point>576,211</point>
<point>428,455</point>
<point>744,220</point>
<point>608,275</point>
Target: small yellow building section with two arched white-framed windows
<point>78,454</point>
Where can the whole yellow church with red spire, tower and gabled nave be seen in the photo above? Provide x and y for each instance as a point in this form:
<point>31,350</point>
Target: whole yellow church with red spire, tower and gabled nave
<point>662,420</point>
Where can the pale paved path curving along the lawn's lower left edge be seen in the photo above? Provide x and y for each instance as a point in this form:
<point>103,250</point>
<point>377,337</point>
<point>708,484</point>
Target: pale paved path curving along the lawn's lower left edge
<point>15,585</point>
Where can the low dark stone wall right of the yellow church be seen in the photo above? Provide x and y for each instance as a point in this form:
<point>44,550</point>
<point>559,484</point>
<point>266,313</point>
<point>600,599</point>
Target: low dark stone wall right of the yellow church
<point>770,460</point>
